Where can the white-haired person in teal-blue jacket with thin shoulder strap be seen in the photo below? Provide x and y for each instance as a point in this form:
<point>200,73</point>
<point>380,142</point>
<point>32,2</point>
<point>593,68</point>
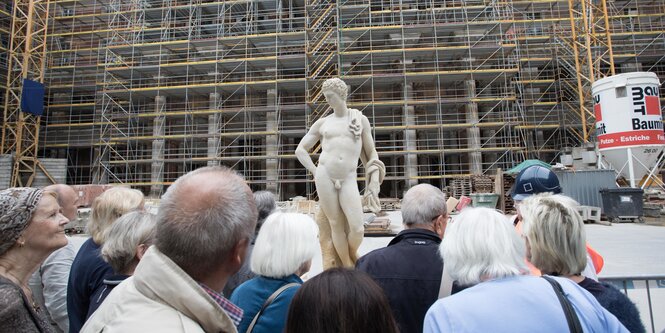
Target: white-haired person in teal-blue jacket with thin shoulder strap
<point>284,249</point>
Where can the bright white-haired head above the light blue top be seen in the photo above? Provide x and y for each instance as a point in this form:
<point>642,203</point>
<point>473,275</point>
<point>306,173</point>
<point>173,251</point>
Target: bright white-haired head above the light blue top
<point>482,245</point>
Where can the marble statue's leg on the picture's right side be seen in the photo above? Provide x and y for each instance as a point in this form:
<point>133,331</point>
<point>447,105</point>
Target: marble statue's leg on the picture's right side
<point>351,204</point>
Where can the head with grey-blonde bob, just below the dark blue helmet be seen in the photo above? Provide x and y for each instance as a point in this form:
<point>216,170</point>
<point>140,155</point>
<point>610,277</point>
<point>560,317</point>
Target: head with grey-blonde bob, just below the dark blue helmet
<point>554,230</point>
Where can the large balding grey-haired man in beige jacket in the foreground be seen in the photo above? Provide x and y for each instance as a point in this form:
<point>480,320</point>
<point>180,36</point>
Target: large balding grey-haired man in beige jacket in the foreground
<point>205,222</point>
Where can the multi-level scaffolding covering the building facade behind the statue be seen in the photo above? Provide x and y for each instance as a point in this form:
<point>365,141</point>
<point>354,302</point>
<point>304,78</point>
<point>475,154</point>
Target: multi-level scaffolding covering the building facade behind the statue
<point>142,91</point>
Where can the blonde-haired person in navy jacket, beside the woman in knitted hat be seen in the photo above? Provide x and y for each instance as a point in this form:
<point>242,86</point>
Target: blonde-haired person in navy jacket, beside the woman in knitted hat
<point>89,269</point>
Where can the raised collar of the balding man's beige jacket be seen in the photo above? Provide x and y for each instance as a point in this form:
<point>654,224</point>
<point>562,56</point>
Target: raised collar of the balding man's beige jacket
<point>160,279</point>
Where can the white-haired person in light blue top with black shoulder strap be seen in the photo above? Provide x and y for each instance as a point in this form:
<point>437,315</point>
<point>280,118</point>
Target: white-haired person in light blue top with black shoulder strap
<point>481,248</point>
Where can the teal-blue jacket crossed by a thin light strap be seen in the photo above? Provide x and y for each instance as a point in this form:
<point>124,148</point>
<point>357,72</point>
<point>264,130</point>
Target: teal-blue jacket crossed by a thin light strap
<point>251,295</point>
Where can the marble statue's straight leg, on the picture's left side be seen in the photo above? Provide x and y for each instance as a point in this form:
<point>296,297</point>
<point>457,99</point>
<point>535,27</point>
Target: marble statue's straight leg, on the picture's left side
<point>329,204</point>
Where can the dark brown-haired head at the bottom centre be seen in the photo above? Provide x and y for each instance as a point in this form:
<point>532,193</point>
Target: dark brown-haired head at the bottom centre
<point>340,300</point>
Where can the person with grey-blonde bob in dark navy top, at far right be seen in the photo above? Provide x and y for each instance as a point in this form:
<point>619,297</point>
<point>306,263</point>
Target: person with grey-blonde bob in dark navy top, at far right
<point>556,241</point>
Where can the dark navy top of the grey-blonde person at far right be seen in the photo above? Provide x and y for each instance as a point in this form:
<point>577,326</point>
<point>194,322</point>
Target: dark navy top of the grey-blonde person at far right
<point>616,302</point>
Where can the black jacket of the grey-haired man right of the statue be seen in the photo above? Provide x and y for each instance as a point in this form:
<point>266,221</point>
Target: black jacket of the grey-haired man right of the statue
<point>409,271</point>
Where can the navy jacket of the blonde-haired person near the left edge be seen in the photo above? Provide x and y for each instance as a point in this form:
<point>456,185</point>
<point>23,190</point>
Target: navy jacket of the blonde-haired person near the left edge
<point>85,278</point>
